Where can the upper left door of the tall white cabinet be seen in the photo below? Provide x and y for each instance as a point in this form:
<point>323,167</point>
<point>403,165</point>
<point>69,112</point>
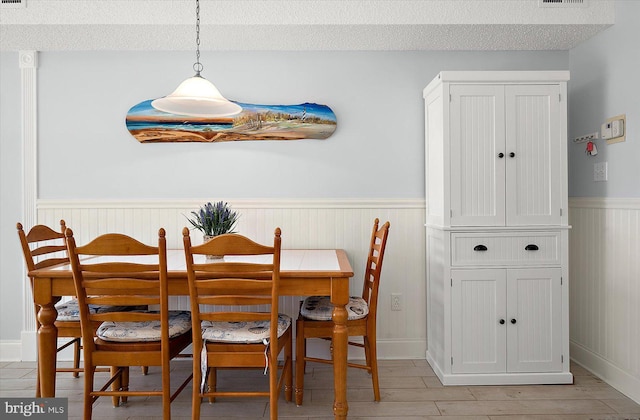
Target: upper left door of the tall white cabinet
<point>477,133</point>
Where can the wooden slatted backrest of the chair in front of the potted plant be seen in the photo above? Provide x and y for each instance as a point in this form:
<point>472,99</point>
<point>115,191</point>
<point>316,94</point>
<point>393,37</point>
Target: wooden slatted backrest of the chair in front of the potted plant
<point>244,282</point>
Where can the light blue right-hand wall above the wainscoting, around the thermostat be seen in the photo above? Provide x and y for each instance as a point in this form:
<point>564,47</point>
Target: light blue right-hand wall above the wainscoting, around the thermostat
<point>605,83</point>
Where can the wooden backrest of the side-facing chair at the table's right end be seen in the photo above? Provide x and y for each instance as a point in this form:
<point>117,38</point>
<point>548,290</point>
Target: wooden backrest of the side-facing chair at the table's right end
<point>374,265</point>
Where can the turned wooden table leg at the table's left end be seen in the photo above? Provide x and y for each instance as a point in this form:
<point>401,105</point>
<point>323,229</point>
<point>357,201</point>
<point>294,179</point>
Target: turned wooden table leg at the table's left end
<point>47,345</point>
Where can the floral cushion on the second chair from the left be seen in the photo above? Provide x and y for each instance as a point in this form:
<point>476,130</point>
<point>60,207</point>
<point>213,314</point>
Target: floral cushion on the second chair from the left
<point>179,323</point>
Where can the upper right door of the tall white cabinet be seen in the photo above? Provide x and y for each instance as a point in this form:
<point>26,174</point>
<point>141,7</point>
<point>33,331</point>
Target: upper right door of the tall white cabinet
<point>533,141</point>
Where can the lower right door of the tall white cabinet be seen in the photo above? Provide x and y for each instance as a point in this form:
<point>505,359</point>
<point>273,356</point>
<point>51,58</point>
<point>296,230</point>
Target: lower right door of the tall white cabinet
<point>534,315</point>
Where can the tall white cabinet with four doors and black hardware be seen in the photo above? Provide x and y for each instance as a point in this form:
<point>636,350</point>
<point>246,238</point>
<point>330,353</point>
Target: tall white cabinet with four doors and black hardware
<point>496,227</point>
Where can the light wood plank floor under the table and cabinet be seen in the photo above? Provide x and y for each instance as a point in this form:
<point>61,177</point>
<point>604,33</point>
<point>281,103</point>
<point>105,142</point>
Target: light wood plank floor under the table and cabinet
<point>410,390</point>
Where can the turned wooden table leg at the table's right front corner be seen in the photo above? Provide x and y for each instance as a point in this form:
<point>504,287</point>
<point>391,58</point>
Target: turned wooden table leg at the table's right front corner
<point>339,298</point>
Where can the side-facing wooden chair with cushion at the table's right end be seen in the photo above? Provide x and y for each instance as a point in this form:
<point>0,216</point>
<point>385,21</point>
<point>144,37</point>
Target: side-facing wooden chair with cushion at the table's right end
<point>314,319</point>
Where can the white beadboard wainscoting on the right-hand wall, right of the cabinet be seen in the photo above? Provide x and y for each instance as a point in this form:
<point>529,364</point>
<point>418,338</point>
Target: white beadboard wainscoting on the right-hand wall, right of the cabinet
<point>604,249</point>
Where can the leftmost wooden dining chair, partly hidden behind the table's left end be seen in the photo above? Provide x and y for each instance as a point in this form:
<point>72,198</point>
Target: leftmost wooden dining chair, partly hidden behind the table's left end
<point>44,247</point>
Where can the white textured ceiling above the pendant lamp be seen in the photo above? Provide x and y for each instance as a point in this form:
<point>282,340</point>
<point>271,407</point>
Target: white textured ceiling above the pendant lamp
<point>51,25</point>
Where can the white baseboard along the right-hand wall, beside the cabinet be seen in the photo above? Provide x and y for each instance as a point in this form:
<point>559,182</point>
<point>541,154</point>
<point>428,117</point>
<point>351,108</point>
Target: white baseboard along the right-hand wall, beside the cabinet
<point>605,370</point>
